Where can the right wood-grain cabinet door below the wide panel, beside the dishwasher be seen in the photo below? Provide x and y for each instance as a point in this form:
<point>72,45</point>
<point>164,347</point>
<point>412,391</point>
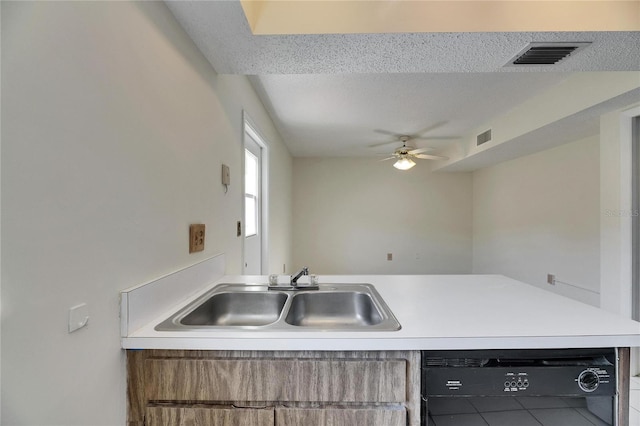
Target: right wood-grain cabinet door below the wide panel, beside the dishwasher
<point>341,416</point>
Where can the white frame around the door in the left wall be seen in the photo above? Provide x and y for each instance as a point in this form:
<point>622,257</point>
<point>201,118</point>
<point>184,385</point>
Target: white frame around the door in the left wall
<point>249,127</point>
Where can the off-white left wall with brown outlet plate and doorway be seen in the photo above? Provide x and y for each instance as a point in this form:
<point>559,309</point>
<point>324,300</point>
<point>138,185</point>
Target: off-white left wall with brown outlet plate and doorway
<point>114,131</point>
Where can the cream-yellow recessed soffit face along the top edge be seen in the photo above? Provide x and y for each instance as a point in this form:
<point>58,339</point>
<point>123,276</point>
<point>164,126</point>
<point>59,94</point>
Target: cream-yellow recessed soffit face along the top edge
<point>280,17</point>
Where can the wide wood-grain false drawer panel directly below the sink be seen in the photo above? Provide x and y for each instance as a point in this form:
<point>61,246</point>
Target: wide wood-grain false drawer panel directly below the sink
<point>337,380</point>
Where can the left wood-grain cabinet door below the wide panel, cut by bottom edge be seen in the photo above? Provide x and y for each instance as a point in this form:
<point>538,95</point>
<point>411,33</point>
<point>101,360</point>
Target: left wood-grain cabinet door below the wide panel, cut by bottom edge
<point>208,416</point>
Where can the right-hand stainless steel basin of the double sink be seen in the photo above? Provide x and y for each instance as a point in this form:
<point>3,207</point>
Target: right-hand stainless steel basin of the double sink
<point>333,309</point>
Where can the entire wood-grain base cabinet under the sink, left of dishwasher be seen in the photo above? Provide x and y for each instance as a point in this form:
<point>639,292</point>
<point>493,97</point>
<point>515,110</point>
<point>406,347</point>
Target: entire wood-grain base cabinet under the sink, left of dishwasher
<point>275,388</point>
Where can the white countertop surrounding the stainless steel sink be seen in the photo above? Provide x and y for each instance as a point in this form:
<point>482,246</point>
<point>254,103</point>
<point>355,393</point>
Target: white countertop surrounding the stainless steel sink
<point>435,311</point>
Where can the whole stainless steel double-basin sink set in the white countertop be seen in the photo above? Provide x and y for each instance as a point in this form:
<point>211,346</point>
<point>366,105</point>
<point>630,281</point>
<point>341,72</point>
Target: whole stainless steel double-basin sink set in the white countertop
<point>330,307</point>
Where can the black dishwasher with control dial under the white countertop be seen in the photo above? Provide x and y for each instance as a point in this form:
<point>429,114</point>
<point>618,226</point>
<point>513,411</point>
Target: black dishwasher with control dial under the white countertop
<point>537,387</point>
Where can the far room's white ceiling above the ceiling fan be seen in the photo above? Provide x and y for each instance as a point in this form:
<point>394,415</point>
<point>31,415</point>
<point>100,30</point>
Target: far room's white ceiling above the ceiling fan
<point>338,115</point>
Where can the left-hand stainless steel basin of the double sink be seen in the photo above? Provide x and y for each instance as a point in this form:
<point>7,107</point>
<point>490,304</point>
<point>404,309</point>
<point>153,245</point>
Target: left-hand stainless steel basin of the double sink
<point>237,308</point>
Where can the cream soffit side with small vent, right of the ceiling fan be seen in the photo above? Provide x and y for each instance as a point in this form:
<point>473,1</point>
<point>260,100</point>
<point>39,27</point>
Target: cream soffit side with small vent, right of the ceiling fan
<point>528,127</point>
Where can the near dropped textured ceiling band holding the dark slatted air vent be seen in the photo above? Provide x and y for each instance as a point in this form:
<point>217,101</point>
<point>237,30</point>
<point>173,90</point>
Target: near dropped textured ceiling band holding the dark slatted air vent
<point>222,33</point>
